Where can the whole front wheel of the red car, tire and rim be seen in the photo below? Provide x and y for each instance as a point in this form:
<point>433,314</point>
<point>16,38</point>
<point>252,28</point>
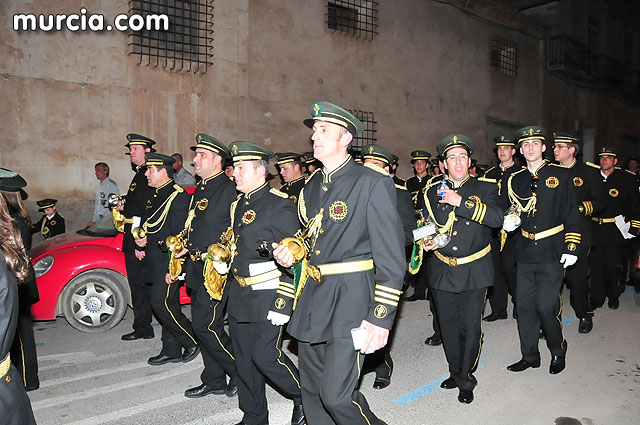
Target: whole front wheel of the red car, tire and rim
<point>95,301</point>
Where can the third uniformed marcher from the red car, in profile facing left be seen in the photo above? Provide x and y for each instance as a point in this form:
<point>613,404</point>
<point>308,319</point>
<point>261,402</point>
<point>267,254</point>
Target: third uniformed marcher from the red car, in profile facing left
<point>208,218</point>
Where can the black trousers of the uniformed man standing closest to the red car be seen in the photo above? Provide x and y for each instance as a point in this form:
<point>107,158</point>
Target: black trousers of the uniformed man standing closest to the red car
<point>140,286</point>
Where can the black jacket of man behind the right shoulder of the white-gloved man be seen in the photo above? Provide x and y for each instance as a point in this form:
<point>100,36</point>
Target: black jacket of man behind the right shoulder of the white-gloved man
<point>586,181</point>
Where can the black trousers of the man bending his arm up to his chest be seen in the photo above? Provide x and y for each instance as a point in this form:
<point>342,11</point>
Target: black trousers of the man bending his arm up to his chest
<point>460,315</point>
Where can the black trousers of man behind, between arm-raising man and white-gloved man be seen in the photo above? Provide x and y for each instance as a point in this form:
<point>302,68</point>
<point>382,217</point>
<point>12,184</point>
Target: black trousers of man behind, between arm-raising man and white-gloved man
<point>504,263</point>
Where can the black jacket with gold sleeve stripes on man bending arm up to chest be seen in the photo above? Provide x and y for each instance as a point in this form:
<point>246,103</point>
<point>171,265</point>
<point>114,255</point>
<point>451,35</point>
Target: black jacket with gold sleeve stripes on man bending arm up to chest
<point>477,214</point>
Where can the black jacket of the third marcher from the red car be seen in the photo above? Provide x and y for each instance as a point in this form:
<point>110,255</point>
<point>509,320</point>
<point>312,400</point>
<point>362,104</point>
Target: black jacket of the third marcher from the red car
<point>209,209</point>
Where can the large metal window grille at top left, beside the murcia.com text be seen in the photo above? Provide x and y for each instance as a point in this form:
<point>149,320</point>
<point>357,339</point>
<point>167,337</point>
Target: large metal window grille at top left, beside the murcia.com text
<point>187,46</point>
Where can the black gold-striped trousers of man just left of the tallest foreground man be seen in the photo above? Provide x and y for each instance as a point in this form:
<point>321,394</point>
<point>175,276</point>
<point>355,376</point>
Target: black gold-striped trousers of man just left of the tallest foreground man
<point>257,349</point>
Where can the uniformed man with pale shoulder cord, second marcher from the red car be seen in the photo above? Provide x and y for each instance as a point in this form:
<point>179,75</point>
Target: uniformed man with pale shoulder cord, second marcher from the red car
<point>166,214</point>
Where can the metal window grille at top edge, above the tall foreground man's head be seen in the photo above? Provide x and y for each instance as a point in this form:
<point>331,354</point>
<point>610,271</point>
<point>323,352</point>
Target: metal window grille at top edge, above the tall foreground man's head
<point>357,18</point>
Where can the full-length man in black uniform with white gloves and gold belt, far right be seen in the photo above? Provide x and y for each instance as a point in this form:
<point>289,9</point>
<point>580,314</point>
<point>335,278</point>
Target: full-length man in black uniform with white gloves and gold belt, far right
<point>544,196</point>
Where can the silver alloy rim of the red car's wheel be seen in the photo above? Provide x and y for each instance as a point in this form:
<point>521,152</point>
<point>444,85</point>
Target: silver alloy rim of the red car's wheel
<point>92,303</point>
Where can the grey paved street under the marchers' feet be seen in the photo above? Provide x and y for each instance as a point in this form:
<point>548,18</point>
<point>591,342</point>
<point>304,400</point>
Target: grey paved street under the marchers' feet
<point>92,379</point>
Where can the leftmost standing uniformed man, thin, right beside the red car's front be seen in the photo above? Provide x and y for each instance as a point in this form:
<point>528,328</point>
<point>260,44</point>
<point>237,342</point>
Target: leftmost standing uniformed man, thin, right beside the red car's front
<point>138,269</point>
